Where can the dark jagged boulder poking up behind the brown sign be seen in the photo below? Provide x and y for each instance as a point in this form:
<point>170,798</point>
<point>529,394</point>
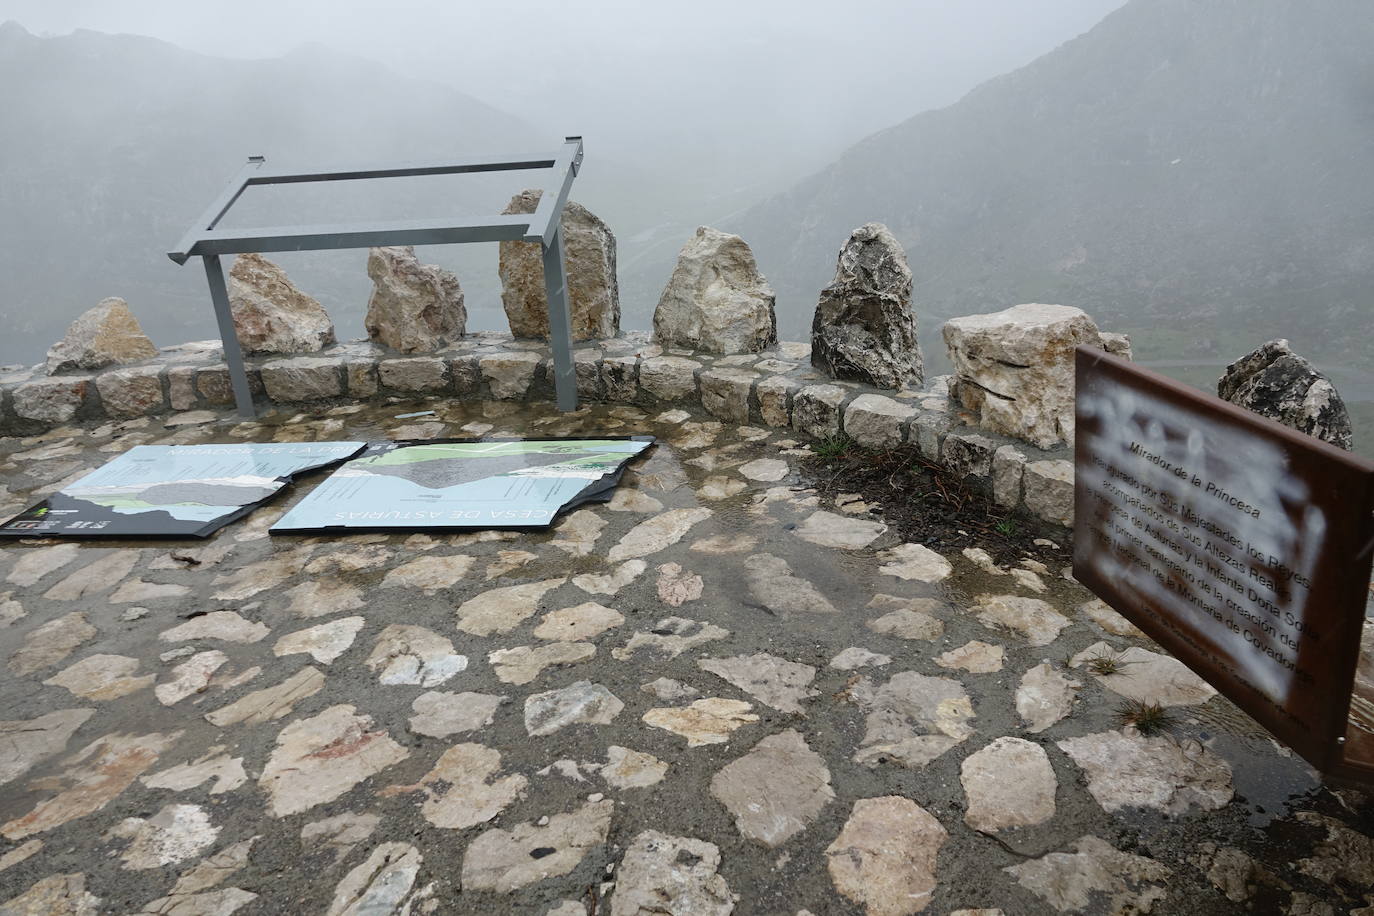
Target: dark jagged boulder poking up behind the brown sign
<point>1279,384</point>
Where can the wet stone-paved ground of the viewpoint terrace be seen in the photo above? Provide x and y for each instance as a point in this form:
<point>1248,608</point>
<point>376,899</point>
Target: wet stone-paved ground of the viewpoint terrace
<point>711,696</point>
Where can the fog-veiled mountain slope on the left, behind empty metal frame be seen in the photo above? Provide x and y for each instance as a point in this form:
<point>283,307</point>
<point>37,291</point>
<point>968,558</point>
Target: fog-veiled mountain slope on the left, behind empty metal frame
<point>113,145</point>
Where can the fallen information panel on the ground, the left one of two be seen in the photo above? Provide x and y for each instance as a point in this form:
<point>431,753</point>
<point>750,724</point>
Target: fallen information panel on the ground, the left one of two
<point>175,491</point>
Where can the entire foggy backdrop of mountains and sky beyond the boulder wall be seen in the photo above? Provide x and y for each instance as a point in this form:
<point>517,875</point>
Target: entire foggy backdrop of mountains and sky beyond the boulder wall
<point>1192,172</point>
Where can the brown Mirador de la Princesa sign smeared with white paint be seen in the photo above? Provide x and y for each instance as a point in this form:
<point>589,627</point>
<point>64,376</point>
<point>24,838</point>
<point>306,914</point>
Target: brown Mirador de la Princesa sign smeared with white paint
<point>1239,545</point>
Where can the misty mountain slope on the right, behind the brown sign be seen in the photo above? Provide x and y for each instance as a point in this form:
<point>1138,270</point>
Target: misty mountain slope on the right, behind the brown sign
<point>1191,168</point>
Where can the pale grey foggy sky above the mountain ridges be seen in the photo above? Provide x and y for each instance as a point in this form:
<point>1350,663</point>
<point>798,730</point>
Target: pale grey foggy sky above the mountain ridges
<point>772,87</point>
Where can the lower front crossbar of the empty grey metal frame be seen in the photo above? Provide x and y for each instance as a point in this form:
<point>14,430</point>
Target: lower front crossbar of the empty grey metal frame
<point>318,238</point>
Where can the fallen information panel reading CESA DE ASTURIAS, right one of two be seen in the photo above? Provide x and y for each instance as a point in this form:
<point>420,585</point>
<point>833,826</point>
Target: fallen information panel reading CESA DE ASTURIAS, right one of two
<point>451,484</point>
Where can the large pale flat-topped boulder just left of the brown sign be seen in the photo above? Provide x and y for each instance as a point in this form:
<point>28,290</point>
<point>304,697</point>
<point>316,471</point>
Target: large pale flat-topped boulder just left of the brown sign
<point>1015,369</point>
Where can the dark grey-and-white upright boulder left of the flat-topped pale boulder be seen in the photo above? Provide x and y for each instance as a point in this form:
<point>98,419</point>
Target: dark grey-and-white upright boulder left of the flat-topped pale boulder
<point>864,329</point>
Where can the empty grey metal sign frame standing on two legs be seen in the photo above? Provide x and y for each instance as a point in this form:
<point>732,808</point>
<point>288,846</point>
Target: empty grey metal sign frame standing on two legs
<point>543,226</point>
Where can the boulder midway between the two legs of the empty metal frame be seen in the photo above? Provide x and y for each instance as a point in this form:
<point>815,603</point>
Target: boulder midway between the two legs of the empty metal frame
<point>416,308</point>
